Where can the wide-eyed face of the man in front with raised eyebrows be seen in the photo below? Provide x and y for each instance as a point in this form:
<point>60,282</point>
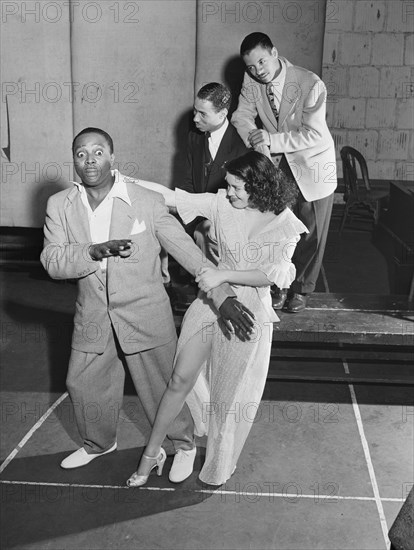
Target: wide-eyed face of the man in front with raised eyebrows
<point>93,159</point>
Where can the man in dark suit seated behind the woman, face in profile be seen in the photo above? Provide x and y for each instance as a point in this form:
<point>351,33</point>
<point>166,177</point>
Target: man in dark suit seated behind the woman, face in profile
<point>214,142</point>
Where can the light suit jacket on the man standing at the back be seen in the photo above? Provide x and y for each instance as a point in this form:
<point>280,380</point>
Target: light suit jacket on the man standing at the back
<point>301,133</point>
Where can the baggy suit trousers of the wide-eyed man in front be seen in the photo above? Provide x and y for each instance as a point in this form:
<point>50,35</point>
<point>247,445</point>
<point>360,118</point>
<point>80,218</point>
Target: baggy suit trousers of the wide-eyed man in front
<point>95,384</point>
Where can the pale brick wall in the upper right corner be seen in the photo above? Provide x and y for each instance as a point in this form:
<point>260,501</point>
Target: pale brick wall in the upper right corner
<point>368,67</point>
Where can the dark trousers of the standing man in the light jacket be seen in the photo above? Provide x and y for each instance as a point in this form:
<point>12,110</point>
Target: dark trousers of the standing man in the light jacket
<point>308,255</point>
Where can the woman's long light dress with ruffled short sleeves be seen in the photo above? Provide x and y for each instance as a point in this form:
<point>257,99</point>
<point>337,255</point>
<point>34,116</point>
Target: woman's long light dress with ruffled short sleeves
<point>228,391</point>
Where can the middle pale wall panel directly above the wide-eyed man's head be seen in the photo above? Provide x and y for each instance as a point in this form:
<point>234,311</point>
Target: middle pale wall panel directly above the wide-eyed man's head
<point>136,69</point>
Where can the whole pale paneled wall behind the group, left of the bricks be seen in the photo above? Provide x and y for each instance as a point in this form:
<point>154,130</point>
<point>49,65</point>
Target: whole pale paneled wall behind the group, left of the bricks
<point>130,67</point>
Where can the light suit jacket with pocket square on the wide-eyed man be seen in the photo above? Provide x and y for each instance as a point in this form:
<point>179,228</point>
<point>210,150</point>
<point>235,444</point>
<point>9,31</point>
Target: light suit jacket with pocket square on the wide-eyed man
<point>133,300</point>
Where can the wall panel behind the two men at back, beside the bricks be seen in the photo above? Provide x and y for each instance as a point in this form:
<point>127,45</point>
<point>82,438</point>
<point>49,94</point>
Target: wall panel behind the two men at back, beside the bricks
<point>296,28</point>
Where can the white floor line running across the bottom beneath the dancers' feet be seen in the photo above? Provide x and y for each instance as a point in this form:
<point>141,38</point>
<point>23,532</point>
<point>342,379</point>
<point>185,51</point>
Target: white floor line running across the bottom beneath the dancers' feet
<point>327,498</point>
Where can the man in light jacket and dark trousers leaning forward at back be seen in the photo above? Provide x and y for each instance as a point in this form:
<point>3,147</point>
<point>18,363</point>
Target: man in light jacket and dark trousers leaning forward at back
<point>291,104</point>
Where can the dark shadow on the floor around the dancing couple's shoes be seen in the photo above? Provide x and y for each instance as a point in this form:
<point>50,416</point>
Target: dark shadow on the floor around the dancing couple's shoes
<point>39,512</point>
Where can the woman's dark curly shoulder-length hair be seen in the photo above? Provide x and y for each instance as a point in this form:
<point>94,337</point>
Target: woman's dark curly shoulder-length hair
<point>268,187</point>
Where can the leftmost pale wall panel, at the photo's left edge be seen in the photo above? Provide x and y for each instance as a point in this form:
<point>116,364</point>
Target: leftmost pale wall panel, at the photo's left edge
<point>36,112</point>
